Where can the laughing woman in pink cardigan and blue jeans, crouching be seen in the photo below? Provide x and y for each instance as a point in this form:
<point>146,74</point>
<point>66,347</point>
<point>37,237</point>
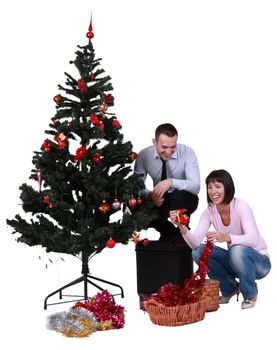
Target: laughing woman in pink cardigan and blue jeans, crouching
<point>246,258</point>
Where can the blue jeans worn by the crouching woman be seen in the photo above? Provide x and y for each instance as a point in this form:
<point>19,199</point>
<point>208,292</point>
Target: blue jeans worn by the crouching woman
<point>241,262</point>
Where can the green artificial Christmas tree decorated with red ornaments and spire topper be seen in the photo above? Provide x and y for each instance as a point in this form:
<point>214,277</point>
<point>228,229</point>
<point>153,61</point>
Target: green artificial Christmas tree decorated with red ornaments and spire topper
<point>84,172</point>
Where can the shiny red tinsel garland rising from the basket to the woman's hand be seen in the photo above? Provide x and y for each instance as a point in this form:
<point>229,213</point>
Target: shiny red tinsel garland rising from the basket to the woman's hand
<point>172,295</point>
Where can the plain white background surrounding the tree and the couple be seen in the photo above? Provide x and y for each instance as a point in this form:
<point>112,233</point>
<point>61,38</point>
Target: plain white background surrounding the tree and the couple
<point>208,67</point>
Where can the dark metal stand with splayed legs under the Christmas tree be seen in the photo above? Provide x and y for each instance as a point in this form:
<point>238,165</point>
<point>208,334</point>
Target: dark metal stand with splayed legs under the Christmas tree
<point>86,278</point>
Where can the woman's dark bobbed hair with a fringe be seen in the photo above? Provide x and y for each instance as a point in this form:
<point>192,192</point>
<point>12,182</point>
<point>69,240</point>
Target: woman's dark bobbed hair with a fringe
<point>225,178</point>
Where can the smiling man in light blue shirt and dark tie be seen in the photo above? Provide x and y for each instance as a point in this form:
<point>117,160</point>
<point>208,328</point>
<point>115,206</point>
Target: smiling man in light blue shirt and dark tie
<point>174,170</point>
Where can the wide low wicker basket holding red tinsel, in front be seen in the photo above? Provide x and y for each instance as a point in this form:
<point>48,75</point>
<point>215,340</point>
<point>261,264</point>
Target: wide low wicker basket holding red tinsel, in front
<point>176,315</point>
